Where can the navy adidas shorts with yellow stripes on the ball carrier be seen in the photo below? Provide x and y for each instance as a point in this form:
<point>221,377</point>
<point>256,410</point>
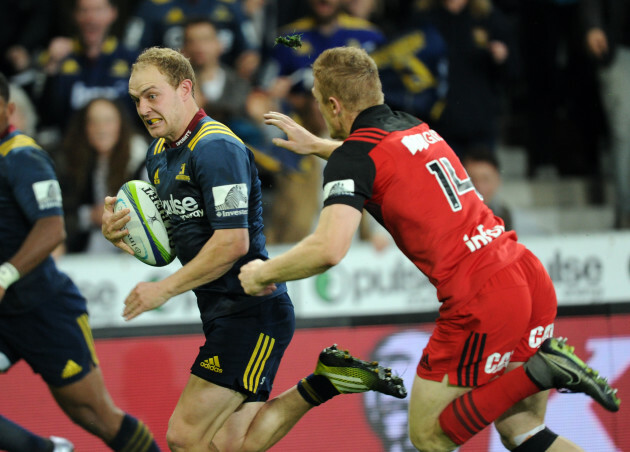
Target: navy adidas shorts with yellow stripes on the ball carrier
<point>243,350</point>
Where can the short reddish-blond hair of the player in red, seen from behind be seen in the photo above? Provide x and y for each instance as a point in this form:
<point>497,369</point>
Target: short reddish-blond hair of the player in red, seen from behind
<point>350,75</point>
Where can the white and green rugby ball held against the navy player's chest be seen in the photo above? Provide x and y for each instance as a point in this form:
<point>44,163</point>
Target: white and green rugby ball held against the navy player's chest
<point>149,228</point>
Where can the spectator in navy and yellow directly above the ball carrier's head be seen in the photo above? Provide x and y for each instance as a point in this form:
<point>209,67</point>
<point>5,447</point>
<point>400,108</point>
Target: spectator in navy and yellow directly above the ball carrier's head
<point>161,23</point>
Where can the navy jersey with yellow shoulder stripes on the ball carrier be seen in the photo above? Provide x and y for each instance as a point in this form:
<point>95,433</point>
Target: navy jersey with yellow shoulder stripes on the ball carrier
<point>208,181</point>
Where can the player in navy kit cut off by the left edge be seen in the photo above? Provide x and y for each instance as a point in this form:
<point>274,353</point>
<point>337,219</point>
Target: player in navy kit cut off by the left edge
<point>43,317</point>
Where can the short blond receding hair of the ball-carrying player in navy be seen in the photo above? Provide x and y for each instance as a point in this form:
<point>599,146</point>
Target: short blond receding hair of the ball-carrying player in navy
<point>171,63</point>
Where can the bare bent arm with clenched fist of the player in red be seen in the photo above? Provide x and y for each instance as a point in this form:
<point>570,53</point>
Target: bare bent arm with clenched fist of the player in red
<point>321,250</point>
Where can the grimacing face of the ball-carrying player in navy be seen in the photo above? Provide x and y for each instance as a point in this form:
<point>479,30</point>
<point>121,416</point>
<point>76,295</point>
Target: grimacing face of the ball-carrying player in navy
<point>157,102</point>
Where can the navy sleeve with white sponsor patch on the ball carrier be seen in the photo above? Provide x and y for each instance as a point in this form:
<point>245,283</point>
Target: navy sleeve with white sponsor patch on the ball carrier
<point>222,170</point>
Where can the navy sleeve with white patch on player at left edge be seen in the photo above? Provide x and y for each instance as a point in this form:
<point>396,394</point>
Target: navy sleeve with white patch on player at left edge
<point>34,183</point>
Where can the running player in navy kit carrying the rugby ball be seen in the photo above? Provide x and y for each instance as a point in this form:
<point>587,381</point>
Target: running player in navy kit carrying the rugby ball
<point>209,185</point>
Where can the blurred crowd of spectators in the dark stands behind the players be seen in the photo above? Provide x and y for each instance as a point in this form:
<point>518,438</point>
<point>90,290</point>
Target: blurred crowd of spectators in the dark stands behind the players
<point>550,76</point>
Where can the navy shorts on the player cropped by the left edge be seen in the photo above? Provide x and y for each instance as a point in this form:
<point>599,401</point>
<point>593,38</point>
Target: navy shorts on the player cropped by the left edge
<point>54,338</point>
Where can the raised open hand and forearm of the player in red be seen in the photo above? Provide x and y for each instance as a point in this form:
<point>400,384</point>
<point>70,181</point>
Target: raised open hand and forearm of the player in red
<point>299,140</point>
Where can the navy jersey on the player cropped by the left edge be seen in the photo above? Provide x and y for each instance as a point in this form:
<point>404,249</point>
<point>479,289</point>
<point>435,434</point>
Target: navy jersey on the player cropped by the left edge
<point>29,191</point>
